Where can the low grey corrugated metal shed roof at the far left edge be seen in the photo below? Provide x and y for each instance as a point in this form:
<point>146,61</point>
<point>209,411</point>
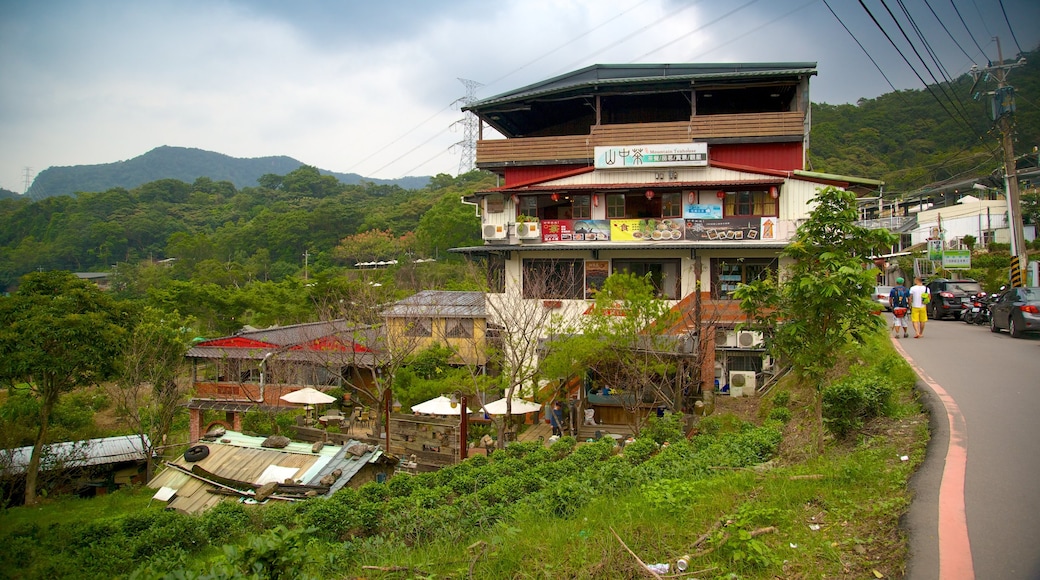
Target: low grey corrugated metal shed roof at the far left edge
<point>80,454</point>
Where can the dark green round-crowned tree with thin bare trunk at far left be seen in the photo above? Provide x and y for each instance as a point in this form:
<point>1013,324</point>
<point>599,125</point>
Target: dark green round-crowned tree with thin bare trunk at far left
<point>58,333</point>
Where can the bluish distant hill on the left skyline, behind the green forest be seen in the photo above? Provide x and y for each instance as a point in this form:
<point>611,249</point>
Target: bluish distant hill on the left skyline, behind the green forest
<point>181,164</point>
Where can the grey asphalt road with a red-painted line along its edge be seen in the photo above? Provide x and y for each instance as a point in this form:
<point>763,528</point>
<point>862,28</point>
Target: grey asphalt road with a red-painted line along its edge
<point>984,392</point>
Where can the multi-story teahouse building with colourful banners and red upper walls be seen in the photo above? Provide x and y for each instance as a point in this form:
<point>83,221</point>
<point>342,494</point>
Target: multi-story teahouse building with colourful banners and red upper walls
<point>691,174</point>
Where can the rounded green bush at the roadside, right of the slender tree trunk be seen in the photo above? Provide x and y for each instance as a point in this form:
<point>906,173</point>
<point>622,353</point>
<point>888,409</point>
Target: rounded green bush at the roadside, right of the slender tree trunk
<point>855,400</point>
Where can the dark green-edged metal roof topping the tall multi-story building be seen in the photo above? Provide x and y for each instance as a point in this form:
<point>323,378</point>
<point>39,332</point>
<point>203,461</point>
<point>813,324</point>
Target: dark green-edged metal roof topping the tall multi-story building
<point>590,80</point>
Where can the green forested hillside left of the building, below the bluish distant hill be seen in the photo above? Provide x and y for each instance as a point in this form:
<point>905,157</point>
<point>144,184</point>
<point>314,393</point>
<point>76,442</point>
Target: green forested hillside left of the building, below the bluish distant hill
<point>292,227</point>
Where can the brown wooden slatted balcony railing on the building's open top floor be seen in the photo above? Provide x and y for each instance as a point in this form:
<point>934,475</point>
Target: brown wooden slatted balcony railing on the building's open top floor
<point>581,148</point>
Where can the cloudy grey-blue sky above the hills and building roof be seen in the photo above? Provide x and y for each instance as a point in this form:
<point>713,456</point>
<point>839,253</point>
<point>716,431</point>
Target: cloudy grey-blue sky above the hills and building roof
<point>373,88</point>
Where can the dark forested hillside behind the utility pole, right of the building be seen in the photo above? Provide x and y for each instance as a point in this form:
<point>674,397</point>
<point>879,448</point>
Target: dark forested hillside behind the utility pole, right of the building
<point>909,140</point>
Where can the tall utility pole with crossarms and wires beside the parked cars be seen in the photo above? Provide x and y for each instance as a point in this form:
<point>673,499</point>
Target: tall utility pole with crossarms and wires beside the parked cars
<point>1003,109</point>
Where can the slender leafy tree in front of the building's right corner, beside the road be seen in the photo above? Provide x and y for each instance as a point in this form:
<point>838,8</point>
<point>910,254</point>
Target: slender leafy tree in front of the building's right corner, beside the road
<point>823,300</point>
